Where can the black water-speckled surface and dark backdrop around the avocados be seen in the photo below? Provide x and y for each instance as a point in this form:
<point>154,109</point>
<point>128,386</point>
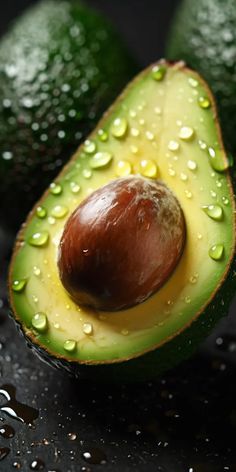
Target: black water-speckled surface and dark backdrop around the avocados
<point>185,421</point>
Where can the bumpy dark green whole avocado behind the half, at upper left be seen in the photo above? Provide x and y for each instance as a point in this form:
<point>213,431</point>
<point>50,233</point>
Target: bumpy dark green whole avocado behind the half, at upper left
<point>61,65</point>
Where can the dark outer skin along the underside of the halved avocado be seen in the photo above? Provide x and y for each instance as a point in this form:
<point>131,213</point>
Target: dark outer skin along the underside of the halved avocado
<point>151,365</point>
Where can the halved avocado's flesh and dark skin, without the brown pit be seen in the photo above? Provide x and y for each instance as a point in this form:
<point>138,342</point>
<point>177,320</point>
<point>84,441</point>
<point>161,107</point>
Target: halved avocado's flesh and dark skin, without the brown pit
<point>164,126</point>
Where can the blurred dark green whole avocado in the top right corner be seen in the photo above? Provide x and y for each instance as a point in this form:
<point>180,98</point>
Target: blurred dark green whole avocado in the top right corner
<point>203,34</point>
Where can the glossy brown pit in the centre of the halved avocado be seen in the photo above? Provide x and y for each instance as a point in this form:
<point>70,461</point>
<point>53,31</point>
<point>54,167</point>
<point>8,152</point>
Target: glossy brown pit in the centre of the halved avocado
<point>121,244</point>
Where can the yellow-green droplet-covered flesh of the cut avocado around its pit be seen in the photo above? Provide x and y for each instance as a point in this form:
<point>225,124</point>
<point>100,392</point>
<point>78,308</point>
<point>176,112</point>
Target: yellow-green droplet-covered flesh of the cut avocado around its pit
<point>155,112</point>
